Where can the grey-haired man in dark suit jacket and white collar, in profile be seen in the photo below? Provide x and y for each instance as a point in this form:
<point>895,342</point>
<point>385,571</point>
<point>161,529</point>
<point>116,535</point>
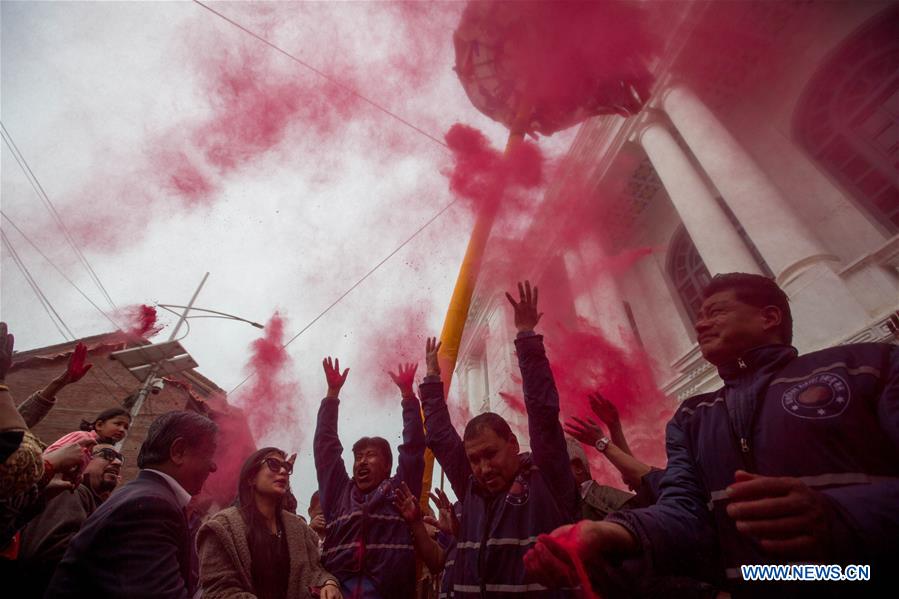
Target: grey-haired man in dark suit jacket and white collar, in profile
<point>137,544</point>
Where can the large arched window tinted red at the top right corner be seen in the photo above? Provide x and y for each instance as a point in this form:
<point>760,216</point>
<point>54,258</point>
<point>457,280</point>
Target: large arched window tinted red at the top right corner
<point>848,117</point>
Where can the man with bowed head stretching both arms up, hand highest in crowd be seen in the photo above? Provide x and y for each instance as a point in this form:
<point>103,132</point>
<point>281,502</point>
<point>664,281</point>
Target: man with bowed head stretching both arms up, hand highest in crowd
<point>508,498</point>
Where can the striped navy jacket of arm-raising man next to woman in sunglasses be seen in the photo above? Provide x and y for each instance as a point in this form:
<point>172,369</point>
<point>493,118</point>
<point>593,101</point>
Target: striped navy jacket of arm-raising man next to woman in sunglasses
<point>367,542</point>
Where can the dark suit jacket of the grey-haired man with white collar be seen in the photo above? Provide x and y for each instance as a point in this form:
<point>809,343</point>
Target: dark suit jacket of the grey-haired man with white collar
<point>135,545</point>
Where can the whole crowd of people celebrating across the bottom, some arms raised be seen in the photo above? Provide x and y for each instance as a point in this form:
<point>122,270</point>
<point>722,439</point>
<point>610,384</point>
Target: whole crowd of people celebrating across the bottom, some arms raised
<point>794,460</point>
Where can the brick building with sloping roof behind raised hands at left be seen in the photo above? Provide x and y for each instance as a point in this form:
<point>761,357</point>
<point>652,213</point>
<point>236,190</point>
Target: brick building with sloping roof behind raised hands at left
<point>110,384</point>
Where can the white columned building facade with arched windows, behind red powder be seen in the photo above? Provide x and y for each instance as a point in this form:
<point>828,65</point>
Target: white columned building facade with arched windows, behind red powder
<point>783,160</point>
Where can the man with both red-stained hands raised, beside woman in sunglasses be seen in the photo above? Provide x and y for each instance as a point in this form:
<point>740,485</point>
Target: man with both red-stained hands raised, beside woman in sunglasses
<point>367,545</point>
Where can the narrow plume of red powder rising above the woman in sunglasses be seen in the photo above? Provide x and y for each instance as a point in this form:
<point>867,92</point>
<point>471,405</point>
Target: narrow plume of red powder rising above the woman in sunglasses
<point>271,399</point>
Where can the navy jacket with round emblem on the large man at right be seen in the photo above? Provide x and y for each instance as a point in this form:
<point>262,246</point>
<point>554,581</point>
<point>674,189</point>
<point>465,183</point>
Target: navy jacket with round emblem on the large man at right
<point>830,418</point>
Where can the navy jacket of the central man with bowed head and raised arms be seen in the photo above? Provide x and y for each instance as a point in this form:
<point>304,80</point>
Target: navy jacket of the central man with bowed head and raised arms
<point>496,532</point>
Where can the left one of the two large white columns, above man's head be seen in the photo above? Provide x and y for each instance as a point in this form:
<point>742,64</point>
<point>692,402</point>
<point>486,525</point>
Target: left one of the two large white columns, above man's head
<point>712,233</point>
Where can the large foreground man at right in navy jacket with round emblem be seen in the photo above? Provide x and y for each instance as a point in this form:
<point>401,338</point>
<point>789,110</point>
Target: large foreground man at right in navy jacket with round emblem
<point>794,461</point>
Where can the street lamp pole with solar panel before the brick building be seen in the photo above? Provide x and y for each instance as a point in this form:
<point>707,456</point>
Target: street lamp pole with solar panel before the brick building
<point>148,361</point>
